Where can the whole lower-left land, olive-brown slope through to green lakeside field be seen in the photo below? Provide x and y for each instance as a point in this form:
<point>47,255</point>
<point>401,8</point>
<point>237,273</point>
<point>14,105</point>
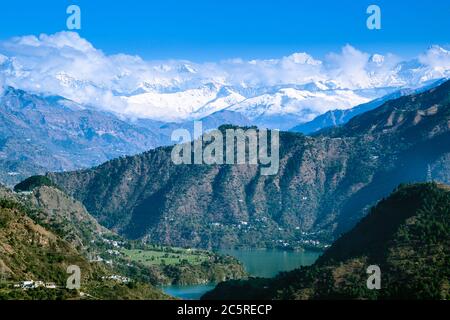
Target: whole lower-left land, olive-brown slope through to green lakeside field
<point>44,231</point>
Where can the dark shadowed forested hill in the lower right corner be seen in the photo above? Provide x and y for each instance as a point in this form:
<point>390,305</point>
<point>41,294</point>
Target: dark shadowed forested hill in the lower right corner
<point>407,235</point>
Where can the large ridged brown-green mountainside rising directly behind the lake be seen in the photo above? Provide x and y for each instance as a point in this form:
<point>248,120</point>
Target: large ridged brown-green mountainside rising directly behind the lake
<point>325,184</point>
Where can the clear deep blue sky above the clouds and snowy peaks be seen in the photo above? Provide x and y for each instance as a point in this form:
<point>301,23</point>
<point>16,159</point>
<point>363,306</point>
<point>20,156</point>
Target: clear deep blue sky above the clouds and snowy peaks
<point>203,30</point>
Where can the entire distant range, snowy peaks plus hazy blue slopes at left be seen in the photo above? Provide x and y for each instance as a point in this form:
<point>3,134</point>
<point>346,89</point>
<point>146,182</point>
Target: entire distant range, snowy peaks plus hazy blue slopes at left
<point>41,131</point>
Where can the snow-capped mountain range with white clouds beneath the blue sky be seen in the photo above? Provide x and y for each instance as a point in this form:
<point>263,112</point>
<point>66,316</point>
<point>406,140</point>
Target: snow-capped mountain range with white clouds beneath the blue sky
<point>277,93</point>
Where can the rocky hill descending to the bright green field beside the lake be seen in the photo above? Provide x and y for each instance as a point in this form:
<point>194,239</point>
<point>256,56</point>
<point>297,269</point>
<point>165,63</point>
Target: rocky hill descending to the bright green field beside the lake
<point>69,221</point>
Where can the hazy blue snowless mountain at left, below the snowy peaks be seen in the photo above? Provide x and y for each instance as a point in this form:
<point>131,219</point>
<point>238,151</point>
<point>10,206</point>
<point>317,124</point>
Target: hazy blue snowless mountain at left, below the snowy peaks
<point>49,133</point>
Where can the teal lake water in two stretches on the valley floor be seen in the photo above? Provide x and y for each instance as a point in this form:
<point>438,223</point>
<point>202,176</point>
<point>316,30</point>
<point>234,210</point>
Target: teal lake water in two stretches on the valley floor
<point>257,262</point>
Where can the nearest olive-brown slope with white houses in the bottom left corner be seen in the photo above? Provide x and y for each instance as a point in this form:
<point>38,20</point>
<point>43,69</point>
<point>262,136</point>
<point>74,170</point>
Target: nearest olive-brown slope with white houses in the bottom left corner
<point>30,251</point>
